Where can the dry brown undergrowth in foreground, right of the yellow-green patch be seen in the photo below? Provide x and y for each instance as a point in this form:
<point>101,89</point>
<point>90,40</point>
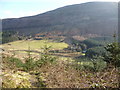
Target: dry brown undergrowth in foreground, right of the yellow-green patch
<point>63,76</point>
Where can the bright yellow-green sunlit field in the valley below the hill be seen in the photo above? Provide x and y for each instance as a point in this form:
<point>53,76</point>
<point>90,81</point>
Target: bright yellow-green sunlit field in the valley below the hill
<point>34,45</point>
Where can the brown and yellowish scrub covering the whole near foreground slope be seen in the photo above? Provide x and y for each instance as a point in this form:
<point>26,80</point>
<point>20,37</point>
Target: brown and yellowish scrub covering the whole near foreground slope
<point>60,74</point>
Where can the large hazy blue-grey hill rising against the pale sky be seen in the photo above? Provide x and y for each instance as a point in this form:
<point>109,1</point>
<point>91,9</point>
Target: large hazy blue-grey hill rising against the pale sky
<point>93,17</point>
